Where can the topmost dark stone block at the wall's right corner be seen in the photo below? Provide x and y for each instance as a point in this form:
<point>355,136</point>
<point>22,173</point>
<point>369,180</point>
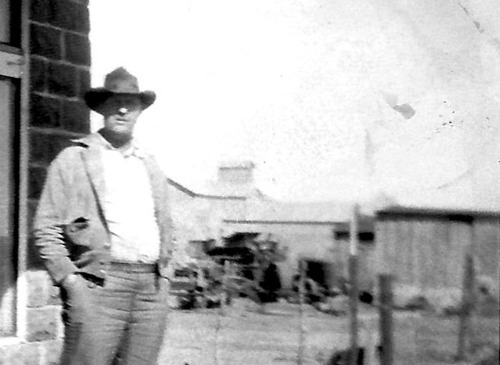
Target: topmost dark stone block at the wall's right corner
<point>70,15</point>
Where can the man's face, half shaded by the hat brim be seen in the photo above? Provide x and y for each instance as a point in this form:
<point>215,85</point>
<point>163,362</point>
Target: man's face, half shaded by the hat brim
<point>120,114</point>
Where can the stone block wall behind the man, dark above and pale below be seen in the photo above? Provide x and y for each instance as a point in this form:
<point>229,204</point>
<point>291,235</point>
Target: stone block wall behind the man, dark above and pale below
<point>59,60</point>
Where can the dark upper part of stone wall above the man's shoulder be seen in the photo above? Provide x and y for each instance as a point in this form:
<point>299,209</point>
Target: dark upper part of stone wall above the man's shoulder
<point>59,73</point>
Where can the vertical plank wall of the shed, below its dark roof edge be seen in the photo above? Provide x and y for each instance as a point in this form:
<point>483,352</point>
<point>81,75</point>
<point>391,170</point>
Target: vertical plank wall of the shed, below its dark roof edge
<point>428,252</point>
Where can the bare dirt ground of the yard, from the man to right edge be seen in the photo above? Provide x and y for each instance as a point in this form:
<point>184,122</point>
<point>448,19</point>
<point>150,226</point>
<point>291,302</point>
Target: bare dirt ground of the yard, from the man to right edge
<point>242,335</point>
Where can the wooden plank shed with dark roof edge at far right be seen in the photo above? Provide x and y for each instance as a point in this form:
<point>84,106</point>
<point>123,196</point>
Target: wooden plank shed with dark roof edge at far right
<point>425,248</point>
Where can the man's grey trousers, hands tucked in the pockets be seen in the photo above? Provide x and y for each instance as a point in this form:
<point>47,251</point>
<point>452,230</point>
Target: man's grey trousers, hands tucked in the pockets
<point>119,322</point>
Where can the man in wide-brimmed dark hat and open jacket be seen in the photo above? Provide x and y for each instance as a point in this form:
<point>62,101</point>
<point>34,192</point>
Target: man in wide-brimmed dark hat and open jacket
<point>104,232</point>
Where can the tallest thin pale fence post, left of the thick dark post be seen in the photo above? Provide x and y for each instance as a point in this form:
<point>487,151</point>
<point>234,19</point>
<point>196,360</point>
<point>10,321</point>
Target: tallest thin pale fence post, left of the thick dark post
<point>353,292</point>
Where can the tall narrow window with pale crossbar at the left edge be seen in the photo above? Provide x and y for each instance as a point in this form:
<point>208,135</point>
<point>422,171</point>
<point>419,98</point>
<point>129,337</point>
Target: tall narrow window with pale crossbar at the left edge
<point>10,73</point>
